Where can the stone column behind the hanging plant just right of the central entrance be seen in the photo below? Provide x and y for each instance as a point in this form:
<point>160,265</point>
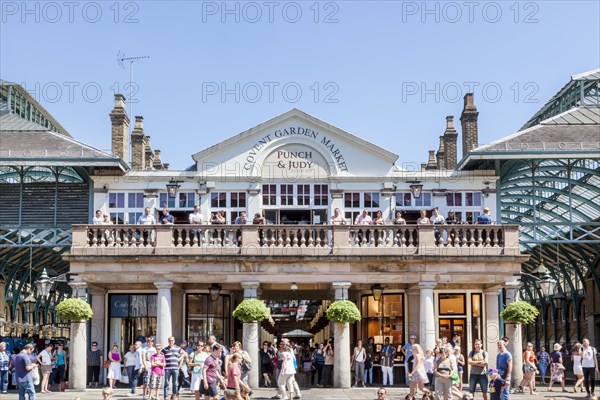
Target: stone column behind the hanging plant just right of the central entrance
<point>341,335</point>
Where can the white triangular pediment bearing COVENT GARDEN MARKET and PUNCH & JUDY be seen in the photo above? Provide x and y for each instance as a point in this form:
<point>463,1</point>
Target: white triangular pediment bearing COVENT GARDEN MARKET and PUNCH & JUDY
<point>296,141</point>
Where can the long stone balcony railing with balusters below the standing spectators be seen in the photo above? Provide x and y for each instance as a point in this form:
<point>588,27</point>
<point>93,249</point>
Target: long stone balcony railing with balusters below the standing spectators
<point>324,239</point>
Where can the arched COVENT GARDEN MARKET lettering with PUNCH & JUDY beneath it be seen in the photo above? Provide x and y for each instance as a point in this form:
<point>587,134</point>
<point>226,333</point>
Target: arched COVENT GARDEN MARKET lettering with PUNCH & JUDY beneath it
<point>322,140</point>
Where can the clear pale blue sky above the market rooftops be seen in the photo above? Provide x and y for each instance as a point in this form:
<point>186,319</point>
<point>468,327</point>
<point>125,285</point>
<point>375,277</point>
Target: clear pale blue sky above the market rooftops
<point>387,71</point>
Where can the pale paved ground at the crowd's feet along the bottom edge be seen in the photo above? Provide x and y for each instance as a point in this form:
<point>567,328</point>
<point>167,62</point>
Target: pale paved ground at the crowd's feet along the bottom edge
<point>308,394</point>
